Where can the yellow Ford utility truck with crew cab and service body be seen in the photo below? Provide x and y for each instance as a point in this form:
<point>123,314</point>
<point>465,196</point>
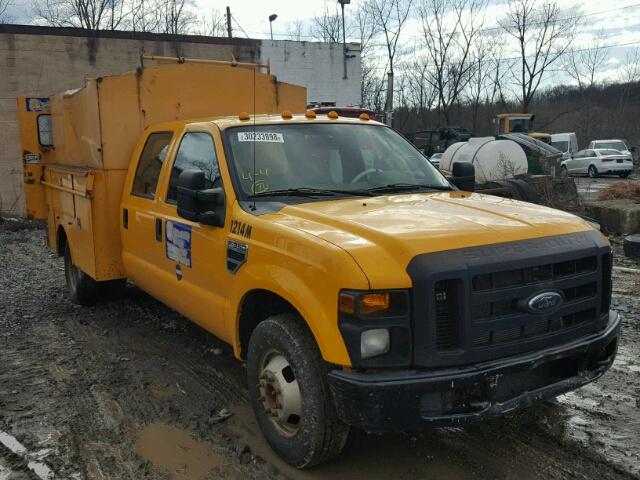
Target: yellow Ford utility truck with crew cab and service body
<point>362,287</point>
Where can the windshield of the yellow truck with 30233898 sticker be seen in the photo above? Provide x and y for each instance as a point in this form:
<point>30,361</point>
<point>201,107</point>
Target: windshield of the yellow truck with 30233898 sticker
<point>337,158</point>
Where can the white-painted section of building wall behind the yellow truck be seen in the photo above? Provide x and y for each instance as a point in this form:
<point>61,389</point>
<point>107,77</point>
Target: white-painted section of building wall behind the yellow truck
<point>317,66</point>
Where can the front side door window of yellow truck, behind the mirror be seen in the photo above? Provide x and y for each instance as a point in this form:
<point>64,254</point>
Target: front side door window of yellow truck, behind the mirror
<point>196,152</point>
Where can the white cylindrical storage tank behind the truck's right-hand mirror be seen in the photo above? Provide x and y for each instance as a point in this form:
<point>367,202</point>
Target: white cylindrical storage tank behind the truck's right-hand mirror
<point>493,159</point>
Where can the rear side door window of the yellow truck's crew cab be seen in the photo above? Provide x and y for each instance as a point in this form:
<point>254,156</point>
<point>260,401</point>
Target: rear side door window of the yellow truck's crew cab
<point>150,164</point>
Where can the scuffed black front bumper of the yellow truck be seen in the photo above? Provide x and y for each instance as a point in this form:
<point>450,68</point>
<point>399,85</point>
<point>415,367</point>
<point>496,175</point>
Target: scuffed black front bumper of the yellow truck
<point>418,399</point>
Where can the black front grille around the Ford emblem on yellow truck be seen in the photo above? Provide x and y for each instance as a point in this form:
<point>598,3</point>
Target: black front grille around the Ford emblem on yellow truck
<point>473,305</point>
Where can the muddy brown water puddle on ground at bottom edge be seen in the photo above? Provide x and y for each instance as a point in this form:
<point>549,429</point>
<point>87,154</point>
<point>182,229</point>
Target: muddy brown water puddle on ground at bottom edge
<point>175,451</point>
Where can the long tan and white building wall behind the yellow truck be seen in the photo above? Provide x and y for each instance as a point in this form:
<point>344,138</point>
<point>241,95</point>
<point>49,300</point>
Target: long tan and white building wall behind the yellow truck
<point>39,61</point>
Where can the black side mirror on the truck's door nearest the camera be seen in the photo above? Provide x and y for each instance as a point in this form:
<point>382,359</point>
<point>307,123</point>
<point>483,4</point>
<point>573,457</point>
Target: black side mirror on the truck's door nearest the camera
<point>197,204</point>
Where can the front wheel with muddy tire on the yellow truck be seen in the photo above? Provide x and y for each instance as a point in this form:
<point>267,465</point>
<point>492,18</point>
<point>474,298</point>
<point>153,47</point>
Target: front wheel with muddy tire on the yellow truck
<point>290,395</point>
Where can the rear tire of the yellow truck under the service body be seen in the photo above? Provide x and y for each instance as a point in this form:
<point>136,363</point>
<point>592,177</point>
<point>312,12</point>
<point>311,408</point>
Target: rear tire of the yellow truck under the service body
<point>83,289</point>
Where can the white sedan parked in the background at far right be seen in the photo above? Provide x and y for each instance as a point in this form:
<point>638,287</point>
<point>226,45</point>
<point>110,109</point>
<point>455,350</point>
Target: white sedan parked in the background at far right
<point>594,162</point>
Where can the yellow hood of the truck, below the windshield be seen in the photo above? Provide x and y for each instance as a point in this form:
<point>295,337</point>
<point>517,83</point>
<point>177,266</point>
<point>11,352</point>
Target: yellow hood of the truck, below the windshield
<point>384,233</point>
